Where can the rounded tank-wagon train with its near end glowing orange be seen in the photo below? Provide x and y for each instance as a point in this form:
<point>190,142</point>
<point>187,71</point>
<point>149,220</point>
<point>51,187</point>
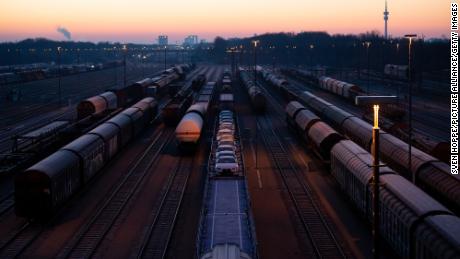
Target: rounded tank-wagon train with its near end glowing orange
<point>188,131</point>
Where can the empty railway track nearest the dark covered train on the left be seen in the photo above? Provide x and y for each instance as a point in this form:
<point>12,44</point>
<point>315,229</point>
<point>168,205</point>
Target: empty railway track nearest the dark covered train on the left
<point>87,240</point>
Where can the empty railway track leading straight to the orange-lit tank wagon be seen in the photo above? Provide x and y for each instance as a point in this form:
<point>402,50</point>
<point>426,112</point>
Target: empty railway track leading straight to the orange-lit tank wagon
<point>156,240</point>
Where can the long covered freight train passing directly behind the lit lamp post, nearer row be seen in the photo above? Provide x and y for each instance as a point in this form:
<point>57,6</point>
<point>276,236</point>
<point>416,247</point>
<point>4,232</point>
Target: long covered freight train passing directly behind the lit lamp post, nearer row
<point>414,224</point>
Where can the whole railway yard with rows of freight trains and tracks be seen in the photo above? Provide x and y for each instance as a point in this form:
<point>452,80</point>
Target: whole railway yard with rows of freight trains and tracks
<point>201,160</point>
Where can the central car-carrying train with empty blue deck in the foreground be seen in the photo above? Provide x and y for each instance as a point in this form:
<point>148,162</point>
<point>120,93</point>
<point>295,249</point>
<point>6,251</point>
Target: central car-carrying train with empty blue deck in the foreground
<point>226,227</point>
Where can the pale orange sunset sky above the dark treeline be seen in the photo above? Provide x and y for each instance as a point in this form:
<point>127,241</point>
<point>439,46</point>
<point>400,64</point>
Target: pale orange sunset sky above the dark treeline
<point>141,21</point>
